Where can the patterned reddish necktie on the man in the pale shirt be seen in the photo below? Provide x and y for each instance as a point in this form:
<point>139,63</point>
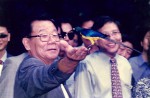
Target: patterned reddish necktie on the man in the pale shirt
<point>115,79</point>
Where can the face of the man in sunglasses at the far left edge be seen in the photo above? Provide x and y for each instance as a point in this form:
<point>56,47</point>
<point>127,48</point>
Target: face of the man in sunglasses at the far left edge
<point>4,41</point>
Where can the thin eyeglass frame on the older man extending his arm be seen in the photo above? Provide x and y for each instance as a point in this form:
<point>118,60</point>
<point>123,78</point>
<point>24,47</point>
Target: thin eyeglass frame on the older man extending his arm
<point>42,36</point>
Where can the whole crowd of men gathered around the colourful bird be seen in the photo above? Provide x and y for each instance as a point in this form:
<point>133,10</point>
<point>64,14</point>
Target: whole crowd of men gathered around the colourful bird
<point>60,63</point>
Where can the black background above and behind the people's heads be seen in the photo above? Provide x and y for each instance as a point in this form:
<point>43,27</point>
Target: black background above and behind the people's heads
<point>129,12</point>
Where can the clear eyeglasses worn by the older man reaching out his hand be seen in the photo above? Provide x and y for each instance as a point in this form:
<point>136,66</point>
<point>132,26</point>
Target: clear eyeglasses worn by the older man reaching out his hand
<point>45,37</point>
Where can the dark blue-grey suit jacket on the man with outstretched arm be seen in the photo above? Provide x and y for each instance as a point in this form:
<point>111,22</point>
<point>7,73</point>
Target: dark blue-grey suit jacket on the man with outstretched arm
<point>36,80</point>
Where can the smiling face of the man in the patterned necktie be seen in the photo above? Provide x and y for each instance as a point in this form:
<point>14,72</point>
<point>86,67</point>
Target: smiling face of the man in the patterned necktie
<point>113,33</point>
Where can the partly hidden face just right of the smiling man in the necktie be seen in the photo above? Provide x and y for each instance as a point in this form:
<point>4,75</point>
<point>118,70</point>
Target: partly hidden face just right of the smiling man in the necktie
<point>124,51</point>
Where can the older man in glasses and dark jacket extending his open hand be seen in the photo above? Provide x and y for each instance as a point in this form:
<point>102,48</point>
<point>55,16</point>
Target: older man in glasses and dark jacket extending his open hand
<point>41,73</point>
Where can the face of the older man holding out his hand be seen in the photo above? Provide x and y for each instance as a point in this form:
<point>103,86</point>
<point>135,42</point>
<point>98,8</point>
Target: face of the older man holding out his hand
<point>47,50</point>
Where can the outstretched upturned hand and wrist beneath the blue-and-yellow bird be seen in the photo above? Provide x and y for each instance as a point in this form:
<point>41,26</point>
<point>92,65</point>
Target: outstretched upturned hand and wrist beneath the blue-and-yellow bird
<point>73,56</point>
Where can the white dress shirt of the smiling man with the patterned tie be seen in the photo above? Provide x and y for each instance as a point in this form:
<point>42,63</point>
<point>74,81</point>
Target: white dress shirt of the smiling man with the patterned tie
<point>93,77</point>
